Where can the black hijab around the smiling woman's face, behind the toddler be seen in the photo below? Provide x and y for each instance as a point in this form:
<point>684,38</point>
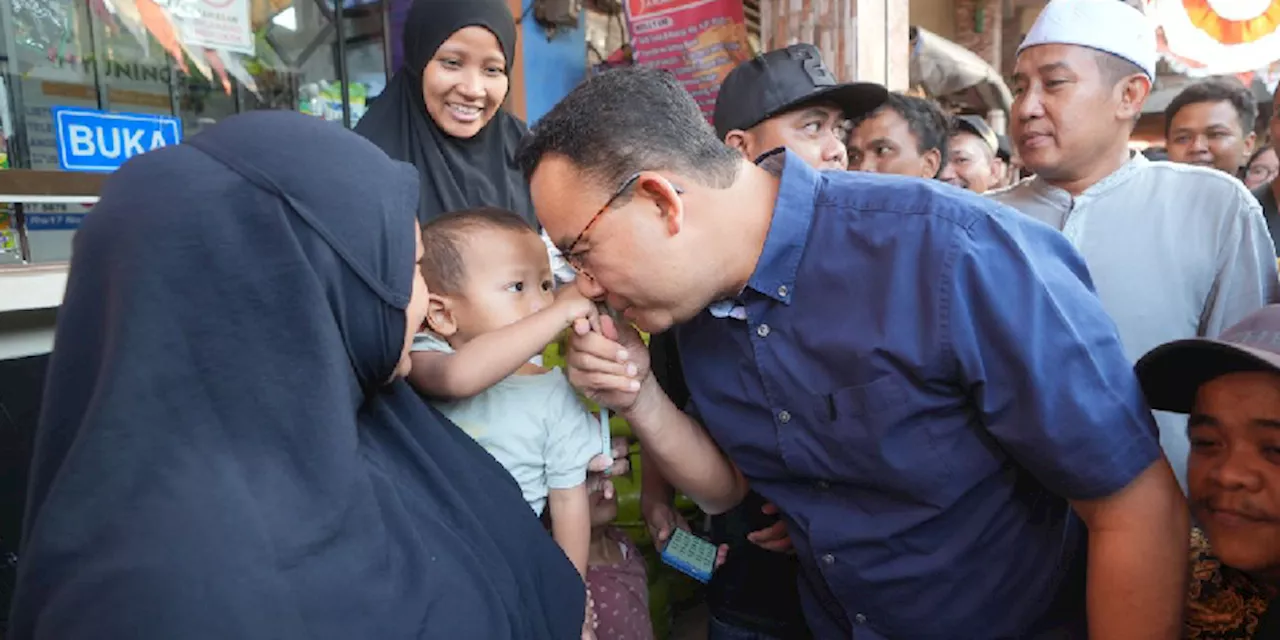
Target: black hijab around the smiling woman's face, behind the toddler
<point>456,173</point>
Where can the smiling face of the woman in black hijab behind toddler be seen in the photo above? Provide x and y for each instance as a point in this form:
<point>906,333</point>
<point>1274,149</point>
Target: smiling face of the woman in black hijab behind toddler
<point>465,83</point>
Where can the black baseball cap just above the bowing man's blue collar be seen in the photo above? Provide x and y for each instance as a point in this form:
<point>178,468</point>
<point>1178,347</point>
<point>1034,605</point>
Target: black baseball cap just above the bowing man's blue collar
<point>783,81</point>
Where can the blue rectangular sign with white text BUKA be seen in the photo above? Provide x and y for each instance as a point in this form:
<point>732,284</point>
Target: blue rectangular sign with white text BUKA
<point>102,141</point>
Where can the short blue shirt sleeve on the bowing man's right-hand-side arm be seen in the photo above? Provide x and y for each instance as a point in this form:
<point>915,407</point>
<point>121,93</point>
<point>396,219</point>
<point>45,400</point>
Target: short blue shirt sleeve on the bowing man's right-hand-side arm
<point>1043,360</point>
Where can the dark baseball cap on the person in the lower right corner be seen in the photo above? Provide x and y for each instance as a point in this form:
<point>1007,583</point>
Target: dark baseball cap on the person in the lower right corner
<point>1173,373</point>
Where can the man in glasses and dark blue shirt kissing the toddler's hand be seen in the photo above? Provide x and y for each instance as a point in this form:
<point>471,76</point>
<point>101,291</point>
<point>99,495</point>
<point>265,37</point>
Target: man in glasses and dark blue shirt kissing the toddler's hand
<point>921,380</point>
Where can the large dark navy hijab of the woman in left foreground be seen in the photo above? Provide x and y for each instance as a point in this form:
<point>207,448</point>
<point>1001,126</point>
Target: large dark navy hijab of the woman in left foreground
<point>217,455</point>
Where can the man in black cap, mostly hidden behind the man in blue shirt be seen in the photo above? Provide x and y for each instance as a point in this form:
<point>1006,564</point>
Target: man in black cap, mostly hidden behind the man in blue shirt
<point>783,99</point>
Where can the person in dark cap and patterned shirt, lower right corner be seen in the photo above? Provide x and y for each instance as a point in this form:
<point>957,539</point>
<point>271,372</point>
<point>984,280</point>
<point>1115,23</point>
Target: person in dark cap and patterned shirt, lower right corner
<point>1231,387</point>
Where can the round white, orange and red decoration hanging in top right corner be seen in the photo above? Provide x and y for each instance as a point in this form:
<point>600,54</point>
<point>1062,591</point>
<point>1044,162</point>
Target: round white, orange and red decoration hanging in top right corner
<point>1218,38</point>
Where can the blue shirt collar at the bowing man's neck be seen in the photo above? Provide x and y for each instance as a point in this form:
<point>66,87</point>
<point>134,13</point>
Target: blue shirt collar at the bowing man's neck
<point>789,231</point>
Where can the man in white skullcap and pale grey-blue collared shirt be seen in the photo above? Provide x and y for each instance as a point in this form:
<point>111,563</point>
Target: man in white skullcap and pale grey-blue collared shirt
<point>1176,252</point>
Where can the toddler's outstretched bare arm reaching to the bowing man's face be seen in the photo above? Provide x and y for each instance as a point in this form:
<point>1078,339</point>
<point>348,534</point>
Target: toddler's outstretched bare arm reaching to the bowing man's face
<point>486,360</point>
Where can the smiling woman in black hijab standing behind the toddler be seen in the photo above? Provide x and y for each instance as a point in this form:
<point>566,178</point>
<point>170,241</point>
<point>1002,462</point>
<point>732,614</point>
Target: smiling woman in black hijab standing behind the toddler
<point>442,111</point>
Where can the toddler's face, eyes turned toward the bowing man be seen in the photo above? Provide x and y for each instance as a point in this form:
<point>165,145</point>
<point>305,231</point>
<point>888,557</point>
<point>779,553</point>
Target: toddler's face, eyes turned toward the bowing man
<point>509,278</point>
